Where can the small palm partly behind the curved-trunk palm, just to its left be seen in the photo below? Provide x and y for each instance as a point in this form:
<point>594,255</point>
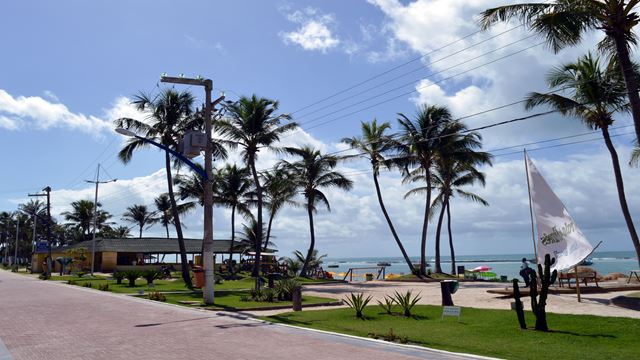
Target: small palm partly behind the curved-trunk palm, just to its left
<point>279,190</point>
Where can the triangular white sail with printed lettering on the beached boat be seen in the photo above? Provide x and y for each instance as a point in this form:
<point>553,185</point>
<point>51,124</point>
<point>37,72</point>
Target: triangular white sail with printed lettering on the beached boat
<point>558,234</point>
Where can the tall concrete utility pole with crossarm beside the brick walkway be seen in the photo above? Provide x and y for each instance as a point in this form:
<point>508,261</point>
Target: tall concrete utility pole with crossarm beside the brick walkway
<point>207,243</point>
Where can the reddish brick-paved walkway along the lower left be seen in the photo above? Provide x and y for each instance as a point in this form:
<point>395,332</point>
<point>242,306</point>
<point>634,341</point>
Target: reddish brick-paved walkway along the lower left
<point>40,320</point>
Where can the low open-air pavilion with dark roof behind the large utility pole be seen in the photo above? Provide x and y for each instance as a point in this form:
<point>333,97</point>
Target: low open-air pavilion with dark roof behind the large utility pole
<point>110,253</point>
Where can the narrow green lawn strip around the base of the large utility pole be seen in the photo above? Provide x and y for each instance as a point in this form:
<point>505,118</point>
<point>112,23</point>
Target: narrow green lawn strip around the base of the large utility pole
<point>231,300</point>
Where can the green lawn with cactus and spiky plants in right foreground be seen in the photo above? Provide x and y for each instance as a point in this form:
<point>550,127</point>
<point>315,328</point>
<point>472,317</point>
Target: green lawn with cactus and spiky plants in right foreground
<point>487,332</point>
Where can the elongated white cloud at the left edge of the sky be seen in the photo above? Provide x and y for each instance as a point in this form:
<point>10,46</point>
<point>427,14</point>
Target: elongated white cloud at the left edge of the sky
<point>19,112</point>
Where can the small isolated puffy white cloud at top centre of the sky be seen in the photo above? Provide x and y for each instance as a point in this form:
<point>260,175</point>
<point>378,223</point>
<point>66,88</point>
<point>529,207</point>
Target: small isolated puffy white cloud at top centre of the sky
<point>314,30</point>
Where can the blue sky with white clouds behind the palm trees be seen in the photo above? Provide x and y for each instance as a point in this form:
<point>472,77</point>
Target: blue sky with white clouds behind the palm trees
<point>70,68</point>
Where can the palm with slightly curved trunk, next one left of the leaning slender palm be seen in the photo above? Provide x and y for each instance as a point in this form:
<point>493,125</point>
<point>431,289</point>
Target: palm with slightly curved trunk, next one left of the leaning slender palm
<point>314,171</point>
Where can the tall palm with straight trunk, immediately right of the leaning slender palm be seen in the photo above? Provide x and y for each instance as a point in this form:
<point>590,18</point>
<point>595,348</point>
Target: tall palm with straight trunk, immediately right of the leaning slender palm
<point>418,149</point>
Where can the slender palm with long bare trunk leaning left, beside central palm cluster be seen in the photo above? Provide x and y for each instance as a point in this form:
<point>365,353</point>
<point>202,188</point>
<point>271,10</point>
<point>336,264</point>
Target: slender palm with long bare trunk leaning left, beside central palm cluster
<point>374,145</point>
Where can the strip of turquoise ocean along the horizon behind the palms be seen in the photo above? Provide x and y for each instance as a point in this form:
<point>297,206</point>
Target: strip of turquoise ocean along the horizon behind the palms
<point>604,262</point>
